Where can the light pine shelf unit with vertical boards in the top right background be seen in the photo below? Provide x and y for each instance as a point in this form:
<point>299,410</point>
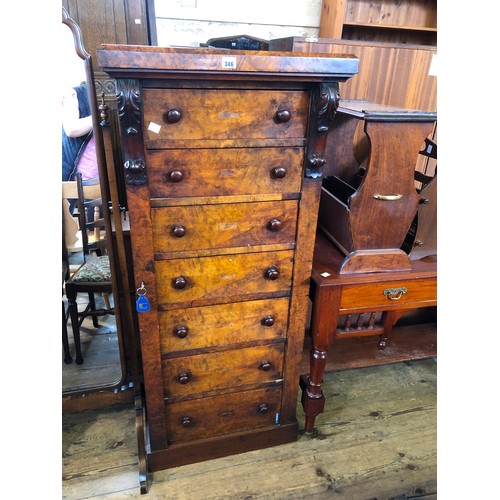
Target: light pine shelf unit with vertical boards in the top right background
<point>400,37</point>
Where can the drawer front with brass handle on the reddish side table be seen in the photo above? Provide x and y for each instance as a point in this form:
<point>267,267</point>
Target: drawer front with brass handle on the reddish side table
<point>389,295</point>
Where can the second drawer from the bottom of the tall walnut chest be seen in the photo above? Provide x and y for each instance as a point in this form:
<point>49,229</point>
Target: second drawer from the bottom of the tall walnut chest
<point>202,373</point>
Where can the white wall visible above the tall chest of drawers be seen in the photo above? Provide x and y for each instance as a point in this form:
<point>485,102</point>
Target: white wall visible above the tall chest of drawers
<point>193,22</point>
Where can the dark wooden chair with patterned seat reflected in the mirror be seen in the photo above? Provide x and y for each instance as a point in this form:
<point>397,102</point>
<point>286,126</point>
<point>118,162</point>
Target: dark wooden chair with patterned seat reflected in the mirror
<point>94,274</point>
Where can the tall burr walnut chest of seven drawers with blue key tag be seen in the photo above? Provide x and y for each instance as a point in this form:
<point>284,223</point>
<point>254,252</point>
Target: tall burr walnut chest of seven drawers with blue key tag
<point>222,161</point>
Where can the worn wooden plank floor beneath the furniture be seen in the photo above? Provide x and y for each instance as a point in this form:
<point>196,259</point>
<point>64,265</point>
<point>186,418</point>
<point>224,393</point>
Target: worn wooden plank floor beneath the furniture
<point>375,440</point>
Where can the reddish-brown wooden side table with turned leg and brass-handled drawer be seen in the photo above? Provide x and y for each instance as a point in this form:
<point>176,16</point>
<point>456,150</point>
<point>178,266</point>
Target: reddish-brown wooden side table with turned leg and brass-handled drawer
<point>354,305</point>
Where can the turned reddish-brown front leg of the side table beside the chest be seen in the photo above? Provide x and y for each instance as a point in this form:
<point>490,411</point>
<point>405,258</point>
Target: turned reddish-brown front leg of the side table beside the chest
<point>323,327</point>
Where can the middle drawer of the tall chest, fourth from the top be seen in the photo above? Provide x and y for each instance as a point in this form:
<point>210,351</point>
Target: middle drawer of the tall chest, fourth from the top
<point>222,278</point>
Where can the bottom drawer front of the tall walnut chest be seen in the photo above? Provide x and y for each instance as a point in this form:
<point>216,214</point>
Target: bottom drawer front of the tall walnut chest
<point>220,415</point>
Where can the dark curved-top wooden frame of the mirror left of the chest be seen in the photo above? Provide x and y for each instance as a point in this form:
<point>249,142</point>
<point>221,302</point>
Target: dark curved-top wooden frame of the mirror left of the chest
<point>111,388</point>
